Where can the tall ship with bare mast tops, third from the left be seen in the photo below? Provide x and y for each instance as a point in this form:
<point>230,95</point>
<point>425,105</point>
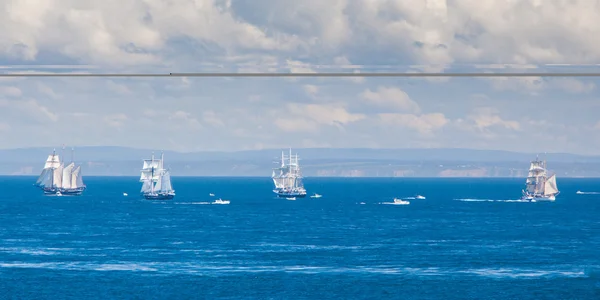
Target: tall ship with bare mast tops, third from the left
<point>288,177</point>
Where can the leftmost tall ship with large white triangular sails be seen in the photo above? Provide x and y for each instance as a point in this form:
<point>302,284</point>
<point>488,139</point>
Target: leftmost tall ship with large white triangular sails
<point>56,179</point>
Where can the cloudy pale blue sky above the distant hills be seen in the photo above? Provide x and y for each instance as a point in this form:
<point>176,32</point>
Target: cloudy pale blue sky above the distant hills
<point>195,114</point>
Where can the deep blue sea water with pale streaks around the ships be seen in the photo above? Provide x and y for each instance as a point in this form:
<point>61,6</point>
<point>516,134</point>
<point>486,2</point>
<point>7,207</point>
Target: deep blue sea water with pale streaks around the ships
<point>469,239</point>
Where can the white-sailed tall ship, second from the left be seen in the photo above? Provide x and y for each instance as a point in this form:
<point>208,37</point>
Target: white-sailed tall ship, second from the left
<point>156,180</point>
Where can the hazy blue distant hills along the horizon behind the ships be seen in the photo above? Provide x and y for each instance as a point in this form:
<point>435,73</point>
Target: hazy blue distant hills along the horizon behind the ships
<point>120,161</point>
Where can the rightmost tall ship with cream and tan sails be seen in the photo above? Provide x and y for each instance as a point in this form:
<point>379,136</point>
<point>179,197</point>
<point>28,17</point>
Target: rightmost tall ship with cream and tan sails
<point>538,186</point>
